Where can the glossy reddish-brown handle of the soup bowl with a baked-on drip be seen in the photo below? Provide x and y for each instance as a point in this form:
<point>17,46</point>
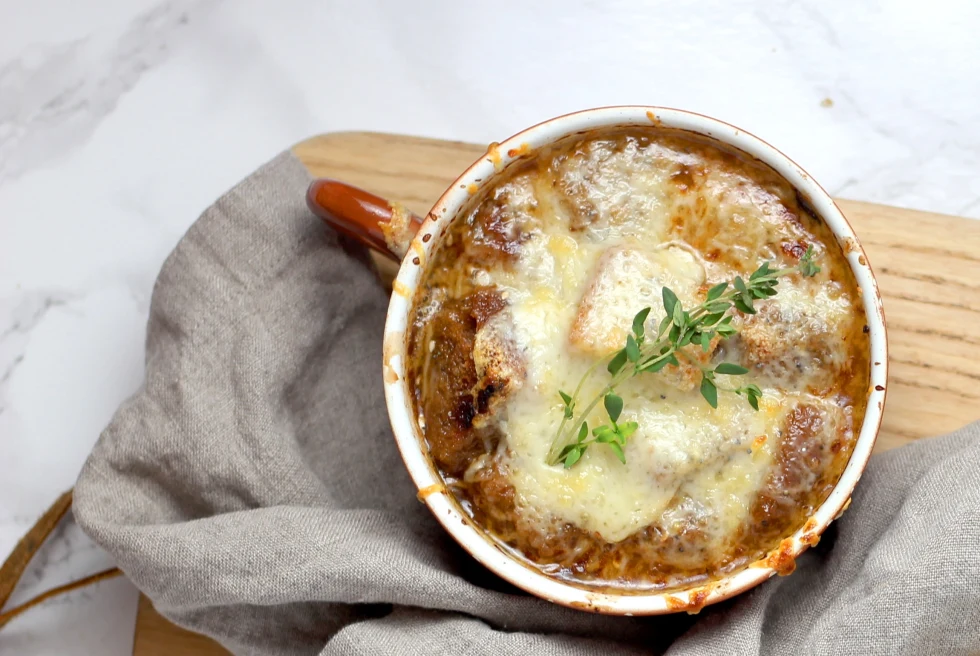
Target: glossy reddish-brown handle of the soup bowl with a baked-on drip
<point>385,226</point>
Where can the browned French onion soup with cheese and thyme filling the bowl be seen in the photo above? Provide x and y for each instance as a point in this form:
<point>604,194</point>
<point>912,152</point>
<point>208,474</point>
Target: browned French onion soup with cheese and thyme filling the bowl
<point>638,360</point>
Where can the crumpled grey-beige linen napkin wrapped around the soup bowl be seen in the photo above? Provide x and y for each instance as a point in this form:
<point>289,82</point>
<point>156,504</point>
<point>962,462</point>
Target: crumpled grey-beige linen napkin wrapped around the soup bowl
<point>252,488</point>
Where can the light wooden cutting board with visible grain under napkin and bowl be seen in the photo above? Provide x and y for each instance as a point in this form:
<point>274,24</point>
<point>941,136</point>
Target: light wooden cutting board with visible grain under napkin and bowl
<point>928,268</point>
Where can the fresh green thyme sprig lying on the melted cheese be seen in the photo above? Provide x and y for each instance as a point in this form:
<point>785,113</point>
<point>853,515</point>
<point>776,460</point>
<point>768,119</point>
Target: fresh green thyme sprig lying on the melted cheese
<point>642,354</point>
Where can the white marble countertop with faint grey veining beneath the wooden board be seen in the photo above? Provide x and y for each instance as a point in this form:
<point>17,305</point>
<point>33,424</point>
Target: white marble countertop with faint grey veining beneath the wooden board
<point>121,120</point>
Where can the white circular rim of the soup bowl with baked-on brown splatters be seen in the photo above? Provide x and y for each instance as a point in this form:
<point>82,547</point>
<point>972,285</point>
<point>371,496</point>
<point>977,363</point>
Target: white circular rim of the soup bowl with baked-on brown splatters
<point>410,441</point>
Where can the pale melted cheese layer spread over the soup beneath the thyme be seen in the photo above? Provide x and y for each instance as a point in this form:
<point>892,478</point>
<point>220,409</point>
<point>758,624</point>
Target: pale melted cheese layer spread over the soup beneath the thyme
<point>599,246</point>
